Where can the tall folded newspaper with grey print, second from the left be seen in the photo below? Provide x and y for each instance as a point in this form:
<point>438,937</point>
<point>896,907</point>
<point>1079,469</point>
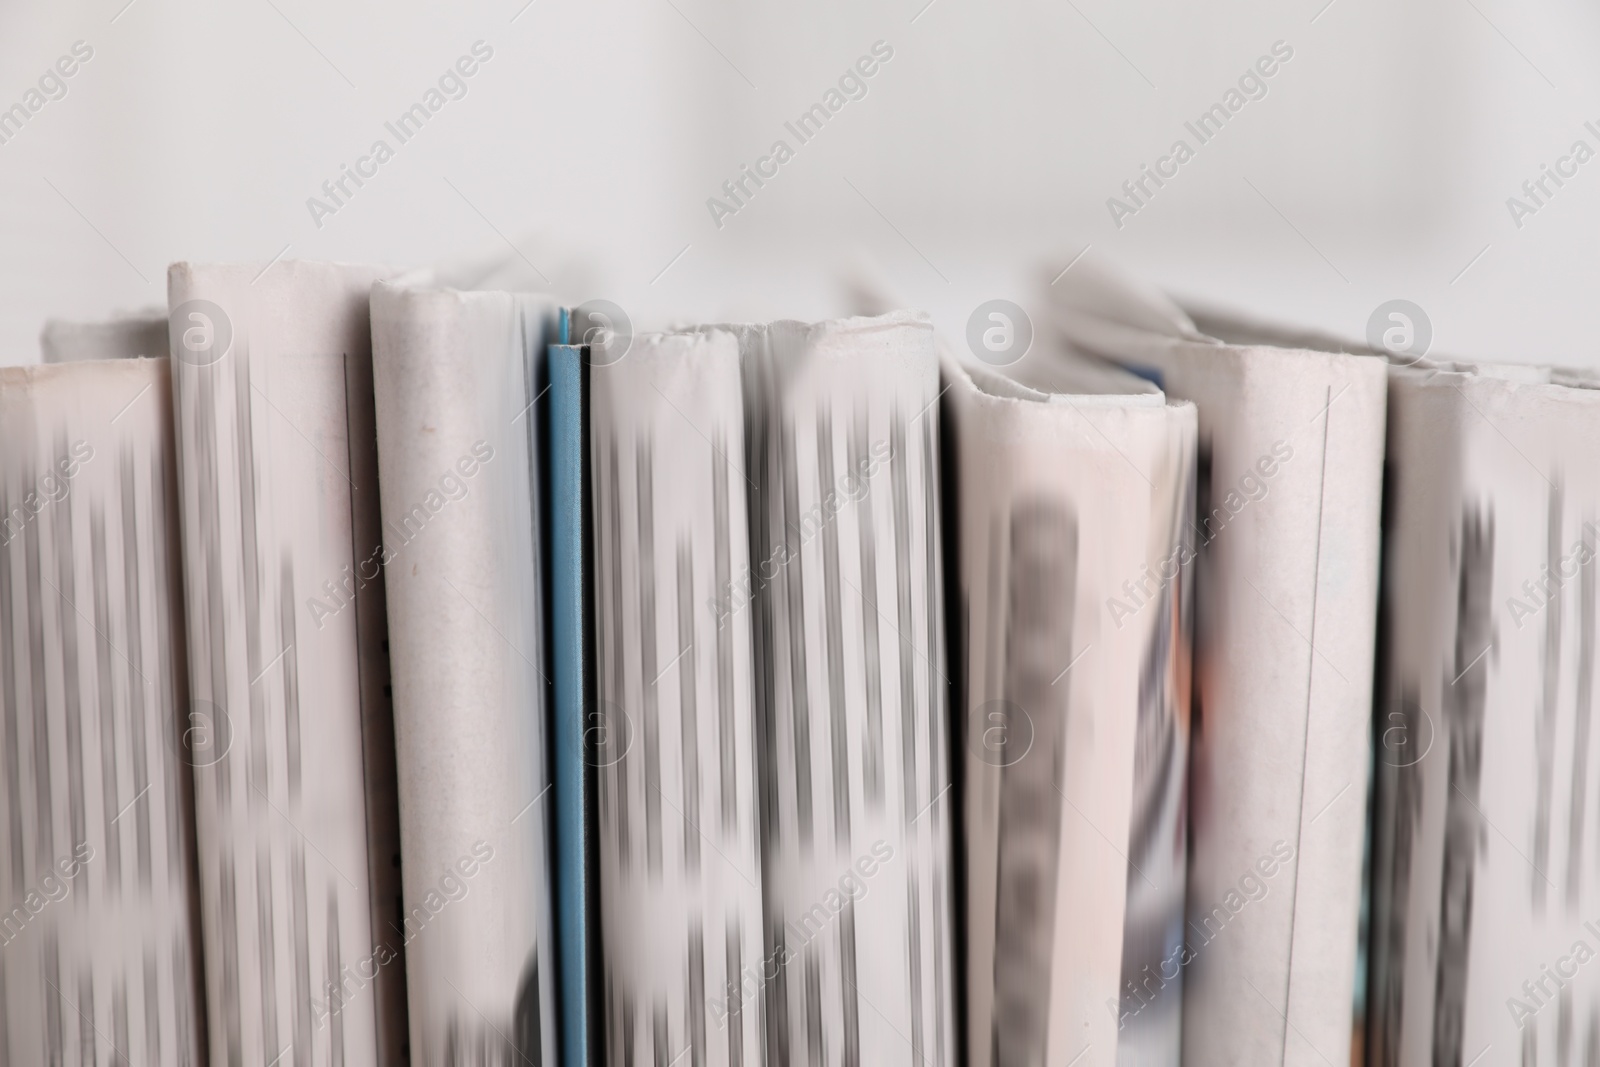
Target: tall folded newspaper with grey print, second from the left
<point>295,801</point>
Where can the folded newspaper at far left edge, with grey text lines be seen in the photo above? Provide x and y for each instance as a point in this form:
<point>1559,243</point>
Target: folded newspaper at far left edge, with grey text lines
<point>98,911</point>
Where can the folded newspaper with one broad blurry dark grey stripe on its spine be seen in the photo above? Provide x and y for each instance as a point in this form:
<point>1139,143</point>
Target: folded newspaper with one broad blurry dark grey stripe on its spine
<point>1073,502</point>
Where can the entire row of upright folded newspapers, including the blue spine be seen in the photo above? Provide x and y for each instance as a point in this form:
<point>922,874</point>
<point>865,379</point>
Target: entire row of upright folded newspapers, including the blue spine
<point>393,673</point>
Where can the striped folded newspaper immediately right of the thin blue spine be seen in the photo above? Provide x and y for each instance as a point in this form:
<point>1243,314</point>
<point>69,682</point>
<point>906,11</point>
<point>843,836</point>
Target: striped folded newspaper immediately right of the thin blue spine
<point>674,729</point>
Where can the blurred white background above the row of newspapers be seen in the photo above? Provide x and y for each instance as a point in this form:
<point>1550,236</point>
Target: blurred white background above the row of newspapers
<point>978,166</point>
